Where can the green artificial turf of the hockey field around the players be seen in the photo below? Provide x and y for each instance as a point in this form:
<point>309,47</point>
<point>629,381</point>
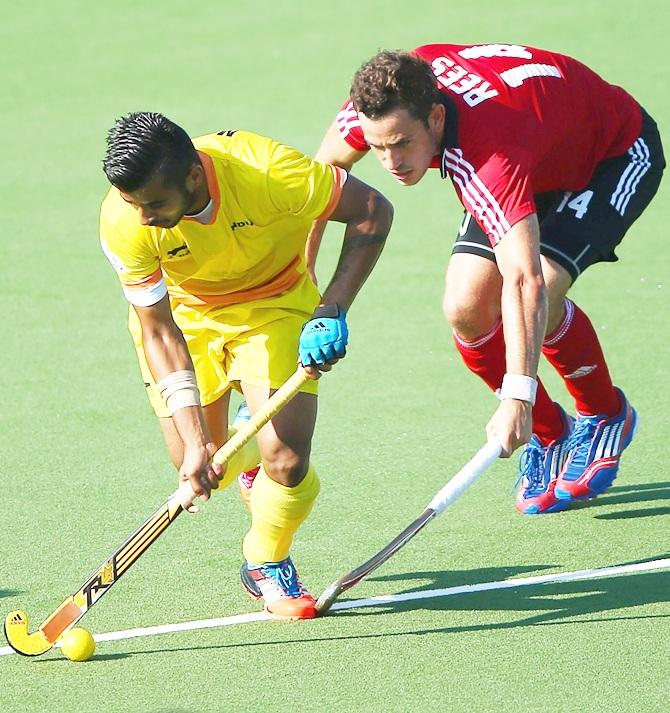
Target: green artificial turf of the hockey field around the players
<point>82,461</point>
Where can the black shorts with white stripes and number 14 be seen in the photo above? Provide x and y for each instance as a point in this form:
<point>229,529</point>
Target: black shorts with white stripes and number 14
<point>581,228</point>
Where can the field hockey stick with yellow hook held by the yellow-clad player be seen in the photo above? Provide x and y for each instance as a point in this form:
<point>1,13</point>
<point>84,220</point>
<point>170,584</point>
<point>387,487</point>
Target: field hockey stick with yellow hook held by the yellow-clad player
<point>75,606</point>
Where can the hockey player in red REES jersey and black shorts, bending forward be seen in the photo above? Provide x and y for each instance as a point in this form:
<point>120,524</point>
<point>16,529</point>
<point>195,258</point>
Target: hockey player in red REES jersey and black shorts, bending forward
<point>552,164</point>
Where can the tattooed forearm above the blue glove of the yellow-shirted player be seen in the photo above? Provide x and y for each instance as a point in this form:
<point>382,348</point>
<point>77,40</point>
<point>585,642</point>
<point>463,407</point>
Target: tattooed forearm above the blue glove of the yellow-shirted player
<point>364,240</point>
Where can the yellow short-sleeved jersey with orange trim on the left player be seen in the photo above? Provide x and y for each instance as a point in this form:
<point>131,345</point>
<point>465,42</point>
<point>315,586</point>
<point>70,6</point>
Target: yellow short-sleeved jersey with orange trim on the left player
<point>264,198</point>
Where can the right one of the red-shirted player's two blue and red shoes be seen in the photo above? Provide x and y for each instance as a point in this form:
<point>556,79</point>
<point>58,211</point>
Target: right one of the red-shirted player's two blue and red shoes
<point>595,447</point>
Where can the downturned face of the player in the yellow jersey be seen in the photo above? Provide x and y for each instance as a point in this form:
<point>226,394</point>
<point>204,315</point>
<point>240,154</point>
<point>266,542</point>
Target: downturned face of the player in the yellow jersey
<point>160,204</point>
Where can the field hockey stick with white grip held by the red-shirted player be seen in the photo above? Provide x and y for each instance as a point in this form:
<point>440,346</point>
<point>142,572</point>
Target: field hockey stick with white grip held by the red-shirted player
<point>442,499</point>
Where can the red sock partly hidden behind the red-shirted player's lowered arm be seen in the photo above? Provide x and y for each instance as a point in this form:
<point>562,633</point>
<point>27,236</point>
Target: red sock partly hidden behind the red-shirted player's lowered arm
<point>486,358</point>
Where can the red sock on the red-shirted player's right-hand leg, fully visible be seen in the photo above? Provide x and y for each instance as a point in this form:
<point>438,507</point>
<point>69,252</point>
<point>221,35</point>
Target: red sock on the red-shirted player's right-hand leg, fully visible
<point>575,352</point>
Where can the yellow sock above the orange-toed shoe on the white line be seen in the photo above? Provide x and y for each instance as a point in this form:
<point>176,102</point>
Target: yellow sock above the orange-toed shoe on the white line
<point>277,513</point>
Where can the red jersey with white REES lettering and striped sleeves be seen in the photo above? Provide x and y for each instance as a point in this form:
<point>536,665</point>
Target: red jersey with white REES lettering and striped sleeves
<point>519,121</point>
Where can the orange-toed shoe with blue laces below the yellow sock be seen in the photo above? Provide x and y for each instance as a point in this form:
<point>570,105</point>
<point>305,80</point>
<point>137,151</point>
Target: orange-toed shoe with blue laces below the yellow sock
<point>279,585</point>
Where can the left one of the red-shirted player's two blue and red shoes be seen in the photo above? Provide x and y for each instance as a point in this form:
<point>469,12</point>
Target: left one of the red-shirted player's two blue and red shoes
<point>539,467</point>
